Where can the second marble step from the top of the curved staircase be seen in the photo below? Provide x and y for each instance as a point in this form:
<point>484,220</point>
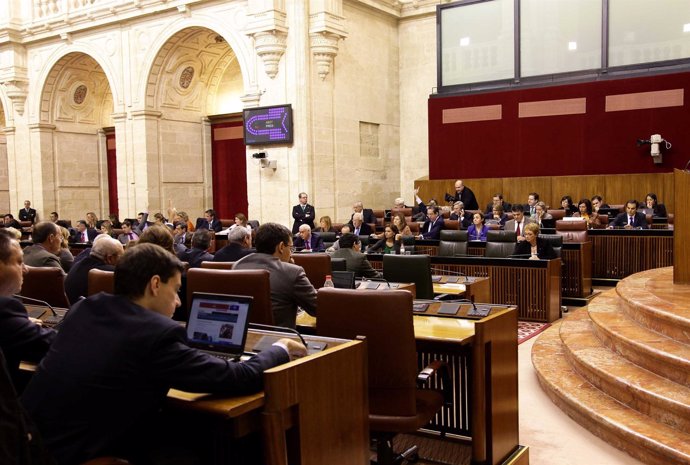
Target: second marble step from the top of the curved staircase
<point>642,346</point>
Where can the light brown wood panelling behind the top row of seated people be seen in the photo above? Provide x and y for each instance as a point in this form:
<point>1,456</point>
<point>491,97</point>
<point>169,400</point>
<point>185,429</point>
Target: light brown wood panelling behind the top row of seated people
<point>615,189</point>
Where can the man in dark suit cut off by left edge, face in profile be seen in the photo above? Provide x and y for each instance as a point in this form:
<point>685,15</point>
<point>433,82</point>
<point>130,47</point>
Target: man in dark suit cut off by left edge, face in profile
<point>20,337</point>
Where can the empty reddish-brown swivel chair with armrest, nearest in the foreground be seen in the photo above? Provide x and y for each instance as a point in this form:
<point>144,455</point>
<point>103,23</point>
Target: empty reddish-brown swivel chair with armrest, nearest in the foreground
<point>396,405</point>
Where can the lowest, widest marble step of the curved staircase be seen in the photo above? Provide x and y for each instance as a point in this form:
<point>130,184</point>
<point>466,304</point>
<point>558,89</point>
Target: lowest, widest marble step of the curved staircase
<point>629,430</point>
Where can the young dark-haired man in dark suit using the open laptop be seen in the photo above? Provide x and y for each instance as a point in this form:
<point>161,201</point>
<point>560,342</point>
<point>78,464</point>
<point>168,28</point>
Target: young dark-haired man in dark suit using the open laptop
<point>99,390</point>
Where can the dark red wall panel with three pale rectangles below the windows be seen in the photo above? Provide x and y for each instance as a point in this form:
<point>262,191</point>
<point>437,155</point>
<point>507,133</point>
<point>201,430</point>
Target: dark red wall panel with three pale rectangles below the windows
<point>596,142</point>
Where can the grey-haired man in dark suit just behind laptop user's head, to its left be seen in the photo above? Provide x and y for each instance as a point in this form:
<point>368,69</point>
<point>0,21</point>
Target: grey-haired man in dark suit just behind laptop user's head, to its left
<point>104,255</point>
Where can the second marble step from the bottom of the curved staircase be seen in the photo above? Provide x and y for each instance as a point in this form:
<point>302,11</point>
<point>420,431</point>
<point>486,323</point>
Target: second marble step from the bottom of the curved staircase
<point>663,400</point>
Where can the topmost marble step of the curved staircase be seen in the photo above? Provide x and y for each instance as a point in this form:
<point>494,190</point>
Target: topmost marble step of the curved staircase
<point>651,299</point>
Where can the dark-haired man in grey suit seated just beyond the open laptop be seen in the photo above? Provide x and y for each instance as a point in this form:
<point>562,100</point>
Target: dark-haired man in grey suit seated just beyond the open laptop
<point>290,287</point>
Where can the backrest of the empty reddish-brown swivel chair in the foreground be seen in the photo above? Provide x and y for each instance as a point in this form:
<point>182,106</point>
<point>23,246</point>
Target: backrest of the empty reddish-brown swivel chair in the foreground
<point>392,361</point>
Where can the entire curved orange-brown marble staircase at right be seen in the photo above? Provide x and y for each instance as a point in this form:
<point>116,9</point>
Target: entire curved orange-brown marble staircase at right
<point>621,367</point>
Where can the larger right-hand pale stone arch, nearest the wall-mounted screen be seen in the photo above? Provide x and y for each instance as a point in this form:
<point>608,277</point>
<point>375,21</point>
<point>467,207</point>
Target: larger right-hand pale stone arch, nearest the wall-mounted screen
<point>236,43</point>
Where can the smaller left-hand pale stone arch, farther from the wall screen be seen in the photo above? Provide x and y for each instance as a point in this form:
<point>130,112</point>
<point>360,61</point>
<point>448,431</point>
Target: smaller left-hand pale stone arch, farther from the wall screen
<point>43,86</point>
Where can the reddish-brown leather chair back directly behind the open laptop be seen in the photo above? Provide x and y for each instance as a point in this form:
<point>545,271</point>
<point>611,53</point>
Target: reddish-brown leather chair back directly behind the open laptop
<point>254,283</point>
